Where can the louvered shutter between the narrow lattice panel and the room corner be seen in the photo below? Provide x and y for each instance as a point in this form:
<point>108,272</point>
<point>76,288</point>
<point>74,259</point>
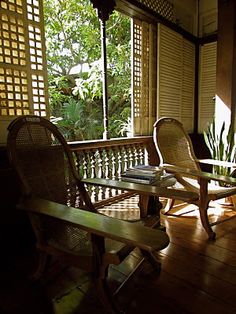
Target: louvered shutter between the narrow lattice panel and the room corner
<point>176,79</point>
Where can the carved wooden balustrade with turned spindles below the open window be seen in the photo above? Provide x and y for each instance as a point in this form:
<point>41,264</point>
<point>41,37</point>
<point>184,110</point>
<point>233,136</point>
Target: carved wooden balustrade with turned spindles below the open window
<point>109,158</point>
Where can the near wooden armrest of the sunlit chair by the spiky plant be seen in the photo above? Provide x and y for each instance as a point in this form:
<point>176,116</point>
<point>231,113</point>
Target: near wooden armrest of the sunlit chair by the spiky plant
<point>199,174</point>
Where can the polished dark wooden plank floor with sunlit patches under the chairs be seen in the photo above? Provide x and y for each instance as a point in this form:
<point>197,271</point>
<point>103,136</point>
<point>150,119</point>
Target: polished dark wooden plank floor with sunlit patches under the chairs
<point>197,275</point>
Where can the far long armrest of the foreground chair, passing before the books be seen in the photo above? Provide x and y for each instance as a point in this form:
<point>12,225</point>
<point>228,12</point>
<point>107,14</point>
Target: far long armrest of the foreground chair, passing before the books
<point>144,189</point>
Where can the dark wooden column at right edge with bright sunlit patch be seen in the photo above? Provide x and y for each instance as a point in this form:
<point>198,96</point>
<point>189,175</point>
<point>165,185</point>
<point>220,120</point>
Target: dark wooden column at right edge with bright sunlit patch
<point>226,61</point>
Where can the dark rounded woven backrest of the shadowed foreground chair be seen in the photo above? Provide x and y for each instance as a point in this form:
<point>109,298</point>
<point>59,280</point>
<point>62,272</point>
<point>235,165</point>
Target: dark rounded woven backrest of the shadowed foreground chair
<point>43,161</point>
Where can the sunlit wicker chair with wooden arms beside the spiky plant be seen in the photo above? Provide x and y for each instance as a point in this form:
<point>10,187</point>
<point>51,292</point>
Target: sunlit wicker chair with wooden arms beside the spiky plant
<point>177,155</point>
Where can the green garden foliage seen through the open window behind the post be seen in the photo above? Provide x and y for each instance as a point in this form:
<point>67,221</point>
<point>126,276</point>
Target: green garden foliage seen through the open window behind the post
<point>72,32</point>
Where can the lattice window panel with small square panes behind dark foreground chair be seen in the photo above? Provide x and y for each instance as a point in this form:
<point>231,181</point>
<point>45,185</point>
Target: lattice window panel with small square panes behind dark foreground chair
<point>23,75</point>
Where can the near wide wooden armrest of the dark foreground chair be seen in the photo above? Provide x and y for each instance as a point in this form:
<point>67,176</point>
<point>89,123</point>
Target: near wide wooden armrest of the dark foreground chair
<point>131,234</point>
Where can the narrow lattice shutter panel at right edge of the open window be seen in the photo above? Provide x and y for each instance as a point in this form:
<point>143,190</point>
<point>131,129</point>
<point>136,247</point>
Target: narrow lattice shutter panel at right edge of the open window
<point>143,77</point>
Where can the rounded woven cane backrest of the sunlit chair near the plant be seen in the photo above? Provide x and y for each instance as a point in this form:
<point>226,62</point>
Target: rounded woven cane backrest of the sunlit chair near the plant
<point>173,144</point>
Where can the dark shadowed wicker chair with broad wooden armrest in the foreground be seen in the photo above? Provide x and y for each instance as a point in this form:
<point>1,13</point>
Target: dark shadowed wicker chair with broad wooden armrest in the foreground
<point>74,233</point>
